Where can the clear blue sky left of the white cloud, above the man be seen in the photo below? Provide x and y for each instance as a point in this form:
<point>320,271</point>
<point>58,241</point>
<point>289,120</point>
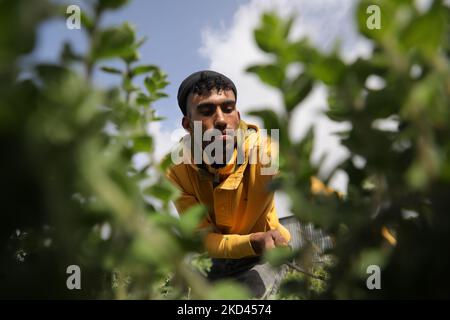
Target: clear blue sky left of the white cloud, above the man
<point>174,35</point>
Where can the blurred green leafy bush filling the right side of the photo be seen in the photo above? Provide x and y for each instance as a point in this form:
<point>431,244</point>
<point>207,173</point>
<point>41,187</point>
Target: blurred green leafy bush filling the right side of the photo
<point>396,211</point>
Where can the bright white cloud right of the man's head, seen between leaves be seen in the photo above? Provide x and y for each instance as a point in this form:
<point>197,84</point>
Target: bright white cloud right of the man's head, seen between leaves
<point>231,50</point>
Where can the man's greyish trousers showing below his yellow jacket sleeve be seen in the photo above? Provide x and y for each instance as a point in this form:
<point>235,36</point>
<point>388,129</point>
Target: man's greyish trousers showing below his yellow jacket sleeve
<point>262,279</point>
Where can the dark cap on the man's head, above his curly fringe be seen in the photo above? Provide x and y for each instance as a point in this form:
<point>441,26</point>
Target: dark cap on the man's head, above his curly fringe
<point>219,81</point>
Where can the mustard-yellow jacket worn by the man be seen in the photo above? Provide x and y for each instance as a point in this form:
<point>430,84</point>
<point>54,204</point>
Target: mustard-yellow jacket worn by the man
<point>239,206</point>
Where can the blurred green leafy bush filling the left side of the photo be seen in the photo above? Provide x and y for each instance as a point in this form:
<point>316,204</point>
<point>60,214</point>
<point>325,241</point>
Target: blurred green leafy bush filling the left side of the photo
<point>70,194</point>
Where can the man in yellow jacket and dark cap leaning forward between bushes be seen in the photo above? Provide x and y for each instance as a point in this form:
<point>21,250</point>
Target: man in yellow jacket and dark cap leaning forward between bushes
<point>223,174</point>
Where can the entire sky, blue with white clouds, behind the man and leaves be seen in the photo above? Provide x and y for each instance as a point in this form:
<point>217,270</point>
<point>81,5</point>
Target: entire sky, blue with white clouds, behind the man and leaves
<point>187,36</point>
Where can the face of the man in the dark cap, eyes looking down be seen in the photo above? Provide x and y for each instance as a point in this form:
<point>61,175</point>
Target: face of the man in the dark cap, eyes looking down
<point>215,110</point>
